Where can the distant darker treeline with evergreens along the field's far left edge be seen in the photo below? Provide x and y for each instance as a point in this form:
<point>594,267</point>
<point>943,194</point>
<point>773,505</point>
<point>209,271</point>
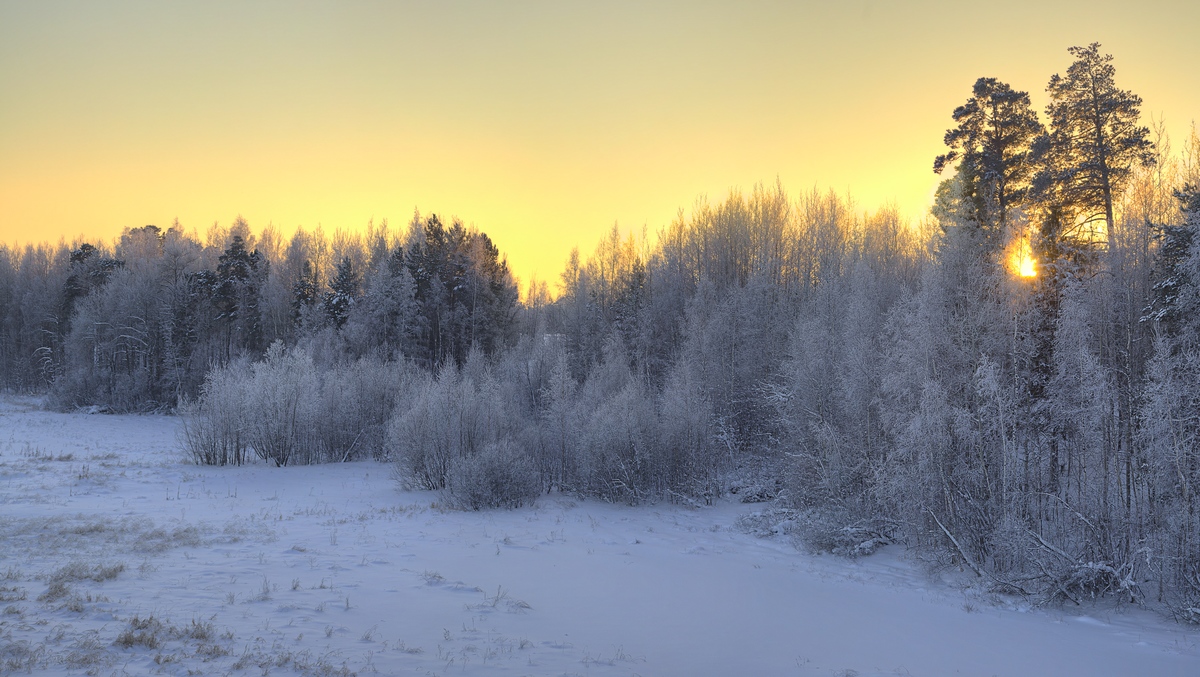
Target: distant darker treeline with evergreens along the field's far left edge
<point>140,326</point>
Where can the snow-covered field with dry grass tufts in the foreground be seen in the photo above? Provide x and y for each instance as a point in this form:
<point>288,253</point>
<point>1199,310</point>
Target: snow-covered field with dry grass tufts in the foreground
<point>118,556</point>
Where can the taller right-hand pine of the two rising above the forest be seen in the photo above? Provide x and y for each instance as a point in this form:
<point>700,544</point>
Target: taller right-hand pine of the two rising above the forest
<point>1085,161</point>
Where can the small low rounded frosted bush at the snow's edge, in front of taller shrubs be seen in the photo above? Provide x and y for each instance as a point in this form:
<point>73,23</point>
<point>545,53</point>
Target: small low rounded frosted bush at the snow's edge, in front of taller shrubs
<point>500,476</point>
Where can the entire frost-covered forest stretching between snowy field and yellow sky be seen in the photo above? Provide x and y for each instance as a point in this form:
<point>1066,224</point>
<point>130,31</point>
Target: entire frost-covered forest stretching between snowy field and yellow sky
<point>1011,385</point>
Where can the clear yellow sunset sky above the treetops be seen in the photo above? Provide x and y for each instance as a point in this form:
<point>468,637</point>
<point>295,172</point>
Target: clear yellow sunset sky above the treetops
<point>543,124</point>
